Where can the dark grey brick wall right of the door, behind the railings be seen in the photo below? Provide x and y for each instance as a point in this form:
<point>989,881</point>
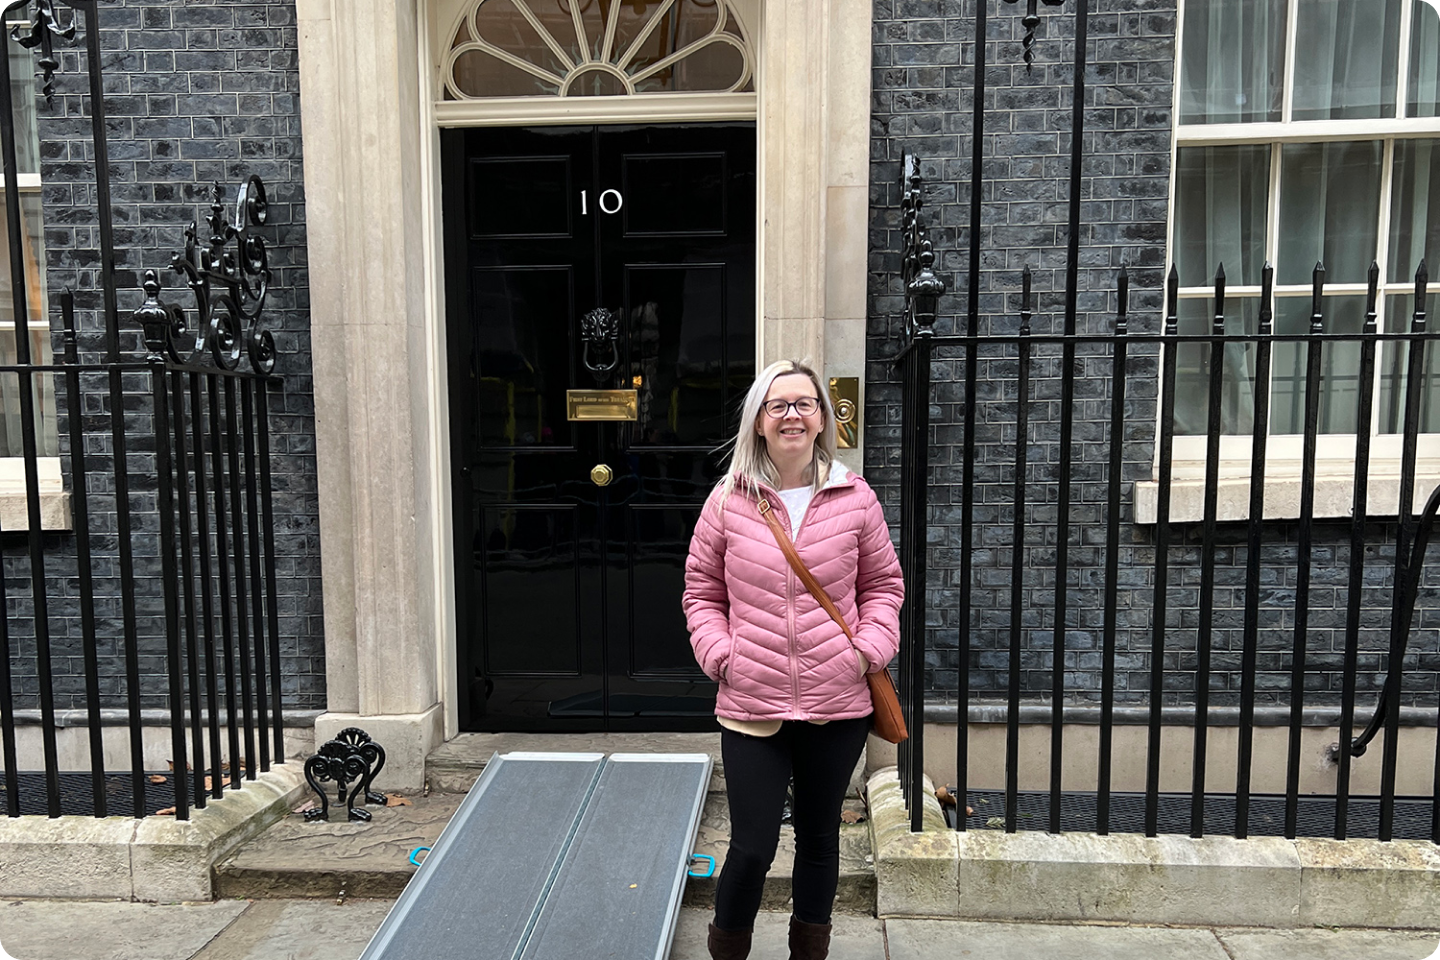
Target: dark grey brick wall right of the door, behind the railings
<point>924,57</point>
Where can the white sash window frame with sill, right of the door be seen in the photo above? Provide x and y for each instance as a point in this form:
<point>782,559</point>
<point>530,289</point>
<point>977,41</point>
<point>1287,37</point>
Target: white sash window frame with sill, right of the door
<point>1336,454</point>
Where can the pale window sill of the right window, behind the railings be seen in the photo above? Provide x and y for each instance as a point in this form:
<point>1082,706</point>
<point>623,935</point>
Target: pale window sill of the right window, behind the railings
<point>1334,497</point>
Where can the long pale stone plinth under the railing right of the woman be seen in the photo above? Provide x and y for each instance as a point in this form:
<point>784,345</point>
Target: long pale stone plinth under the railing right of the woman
<point>1128,879</point>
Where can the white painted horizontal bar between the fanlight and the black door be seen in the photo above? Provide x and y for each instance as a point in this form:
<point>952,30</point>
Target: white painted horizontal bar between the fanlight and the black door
<point>532,112</point>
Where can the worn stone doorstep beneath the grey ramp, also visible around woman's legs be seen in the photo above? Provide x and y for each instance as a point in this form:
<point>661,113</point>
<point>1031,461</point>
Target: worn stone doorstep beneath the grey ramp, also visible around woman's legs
<point>343,860</point>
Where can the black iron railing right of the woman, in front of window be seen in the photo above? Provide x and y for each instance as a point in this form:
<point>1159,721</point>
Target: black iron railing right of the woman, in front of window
<point>994,615</point>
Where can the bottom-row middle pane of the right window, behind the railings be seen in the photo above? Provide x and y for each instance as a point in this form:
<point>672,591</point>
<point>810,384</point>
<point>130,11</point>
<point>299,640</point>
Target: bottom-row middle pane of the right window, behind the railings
<point>1340,366</point>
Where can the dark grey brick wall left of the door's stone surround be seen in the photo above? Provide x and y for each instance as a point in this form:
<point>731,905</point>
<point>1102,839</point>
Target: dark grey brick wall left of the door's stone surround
<point>198,91</point>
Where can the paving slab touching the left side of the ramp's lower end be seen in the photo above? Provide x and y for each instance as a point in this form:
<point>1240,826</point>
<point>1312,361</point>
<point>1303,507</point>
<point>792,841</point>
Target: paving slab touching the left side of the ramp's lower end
<point>299,930</point>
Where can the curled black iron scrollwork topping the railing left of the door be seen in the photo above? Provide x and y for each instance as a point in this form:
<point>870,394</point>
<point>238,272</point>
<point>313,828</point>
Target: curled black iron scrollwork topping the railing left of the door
<point>230,287</point>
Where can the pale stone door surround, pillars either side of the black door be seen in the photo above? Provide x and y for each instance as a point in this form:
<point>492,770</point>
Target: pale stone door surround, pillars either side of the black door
<point>377,280</point>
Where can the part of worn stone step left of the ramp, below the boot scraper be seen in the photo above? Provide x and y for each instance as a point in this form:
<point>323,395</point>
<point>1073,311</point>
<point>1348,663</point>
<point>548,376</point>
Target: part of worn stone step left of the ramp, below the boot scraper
<point>296,859</point>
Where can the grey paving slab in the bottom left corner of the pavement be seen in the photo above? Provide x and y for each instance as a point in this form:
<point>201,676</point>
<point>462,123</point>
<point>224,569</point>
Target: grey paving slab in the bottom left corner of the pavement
<point>109,930</point>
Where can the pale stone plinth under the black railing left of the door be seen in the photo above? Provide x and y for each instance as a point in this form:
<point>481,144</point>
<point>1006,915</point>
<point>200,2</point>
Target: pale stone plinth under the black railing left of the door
<point>156,859</point>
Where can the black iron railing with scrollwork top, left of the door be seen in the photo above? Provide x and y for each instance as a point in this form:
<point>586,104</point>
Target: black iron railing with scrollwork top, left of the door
<point>168,458</point>
